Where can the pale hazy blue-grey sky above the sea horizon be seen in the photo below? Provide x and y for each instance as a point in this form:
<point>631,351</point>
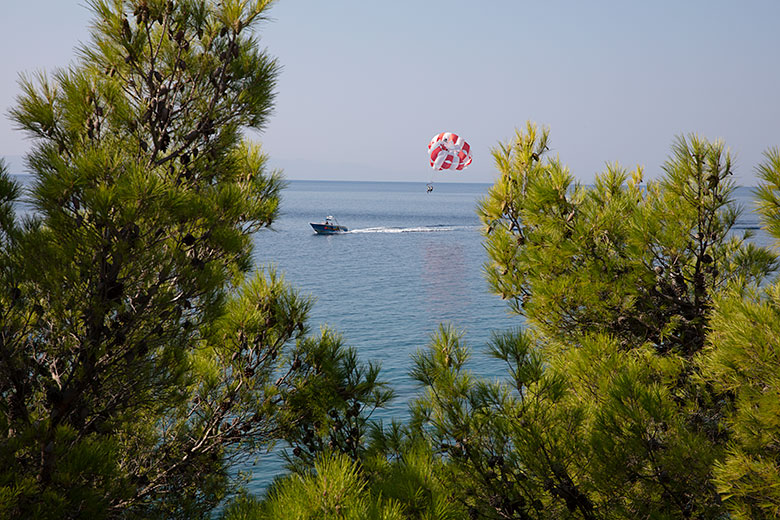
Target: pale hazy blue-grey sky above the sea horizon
<point>365,84</point>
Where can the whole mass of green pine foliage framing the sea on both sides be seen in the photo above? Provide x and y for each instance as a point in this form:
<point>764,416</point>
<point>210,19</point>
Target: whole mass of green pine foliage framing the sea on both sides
<point>141,357</point>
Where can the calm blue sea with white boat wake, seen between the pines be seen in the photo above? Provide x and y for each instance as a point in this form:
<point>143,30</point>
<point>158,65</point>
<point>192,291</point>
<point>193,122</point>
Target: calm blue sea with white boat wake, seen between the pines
<point>411,260</point>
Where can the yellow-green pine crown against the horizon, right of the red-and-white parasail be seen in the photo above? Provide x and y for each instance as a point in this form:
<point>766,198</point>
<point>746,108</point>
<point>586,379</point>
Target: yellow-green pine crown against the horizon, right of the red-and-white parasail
<point>637,262</point>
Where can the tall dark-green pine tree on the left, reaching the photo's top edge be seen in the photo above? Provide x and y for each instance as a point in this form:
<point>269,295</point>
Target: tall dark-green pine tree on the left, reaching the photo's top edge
<point>140,356</point>
